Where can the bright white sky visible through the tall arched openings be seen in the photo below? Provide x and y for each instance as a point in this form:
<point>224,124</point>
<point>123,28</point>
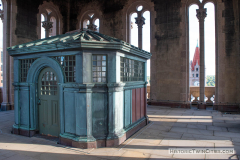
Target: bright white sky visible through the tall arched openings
<point>193,38</point>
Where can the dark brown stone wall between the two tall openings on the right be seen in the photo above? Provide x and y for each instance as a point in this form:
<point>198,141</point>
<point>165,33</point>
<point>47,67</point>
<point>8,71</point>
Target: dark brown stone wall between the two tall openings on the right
<point>167,72</point>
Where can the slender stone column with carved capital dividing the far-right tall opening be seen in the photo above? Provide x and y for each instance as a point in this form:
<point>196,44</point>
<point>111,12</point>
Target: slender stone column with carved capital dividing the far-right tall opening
<point>201,15</point>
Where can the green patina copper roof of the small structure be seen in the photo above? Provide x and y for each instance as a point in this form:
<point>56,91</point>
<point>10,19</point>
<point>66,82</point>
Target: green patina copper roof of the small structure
<point>85,39</point>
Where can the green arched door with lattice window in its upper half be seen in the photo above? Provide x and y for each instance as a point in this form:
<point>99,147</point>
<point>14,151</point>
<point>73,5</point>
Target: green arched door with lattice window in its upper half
<point>48,103</point>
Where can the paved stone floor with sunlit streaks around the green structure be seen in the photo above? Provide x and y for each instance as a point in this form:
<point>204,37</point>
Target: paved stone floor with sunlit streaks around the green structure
<point>169,128</point>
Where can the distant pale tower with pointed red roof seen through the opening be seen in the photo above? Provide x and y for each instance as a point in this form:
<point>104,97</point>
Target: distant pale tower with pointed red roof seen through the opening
<point>194,68</point>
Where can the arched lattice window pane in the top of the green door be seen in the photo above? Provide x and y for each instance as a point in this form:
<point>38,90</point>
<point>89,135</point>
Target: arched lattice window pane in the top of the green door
<point>49,84</point>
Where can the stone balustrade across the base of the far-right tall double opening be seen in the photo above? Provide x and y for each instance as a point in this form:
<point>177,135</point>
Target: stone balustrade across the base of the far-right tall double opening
<point>209,94</point>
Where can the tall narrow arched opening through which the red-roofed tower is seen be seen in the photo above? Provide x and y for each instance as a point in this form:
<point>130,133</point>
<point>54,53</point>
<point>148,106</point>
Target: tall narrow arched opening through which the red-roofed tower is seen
<point>194,52</point>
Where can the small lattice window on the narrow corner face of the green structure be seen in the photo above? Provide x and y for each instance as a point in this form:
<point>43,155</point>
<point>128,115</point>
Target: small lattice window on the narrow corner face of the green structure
<point>99,73</point>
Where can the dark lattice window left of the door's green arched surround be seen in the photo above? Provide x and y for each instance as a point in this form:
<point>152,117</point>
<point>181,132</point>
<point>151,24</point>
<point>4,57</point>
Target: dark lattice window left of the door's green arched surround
<point>25,64</point>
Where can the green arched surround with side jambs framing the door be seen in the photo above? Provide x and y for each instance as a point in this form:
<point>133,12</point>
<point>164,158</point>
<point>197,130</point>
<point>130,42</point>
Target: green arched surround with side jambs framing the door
<point>32,79</point>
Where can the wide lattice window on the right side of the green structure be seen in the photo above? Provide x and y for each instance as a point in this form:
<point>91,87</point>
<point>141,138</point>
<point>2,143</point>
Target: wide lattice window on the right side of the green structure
<point>131,70</point>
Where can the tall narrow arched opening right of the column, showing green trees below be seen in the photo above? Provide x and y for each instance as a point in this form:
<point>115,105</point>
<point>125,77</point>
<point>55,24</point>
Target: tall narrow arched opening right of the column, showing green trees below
<point>209,38</point>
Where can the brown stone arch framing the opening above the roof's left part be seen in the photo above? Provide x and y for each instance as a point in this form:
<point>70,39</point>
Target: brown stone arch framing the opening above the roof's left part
<point>49,10</point>
